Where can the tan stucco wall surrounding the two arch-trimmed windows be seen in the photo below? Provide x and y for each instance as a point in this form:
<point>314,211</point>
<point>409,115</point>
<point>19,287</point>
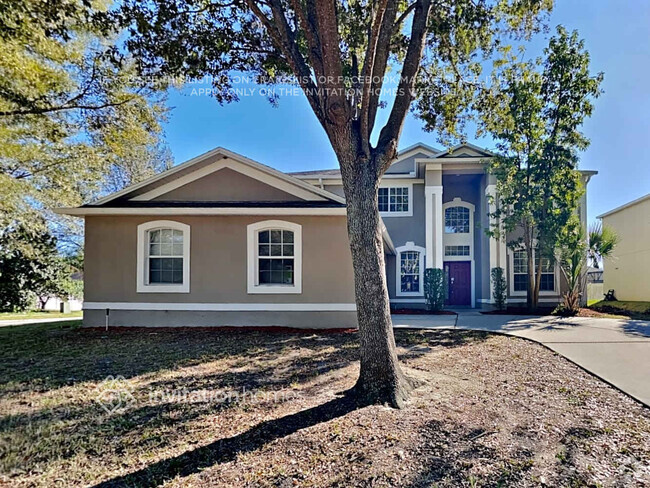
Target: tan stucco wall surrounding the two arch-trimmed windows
<point>218,268</point>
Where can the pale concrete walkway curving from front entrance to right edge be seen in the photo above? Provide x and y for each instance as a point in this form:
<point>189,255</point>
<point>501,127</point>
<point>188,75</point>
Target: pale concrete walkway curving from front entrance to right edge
<point>616,350</point>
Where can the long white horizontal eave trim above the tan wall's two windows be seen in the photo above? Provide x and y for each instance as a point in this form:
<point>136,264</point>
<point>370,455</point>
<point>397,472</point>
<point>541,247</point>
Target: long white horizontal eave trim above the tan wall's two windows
<point>81,211</point>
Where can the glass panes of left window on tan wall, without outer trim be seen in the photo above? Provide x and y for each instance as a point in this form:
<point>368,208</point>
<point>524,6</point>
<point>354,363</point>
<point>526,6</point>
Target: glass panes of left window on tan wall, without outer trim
<point>165,256</point>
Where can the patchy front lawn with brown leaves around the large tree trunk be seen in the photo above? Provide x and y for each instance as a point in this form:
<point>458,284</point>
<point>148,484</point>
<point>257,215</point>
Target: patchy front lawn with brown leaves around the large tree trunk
<point>241,408</point>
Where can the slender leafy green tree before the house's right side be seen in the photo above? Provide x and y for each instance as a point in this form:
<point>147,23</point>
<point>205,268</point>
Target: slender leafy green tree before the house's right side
<point>535,110</point>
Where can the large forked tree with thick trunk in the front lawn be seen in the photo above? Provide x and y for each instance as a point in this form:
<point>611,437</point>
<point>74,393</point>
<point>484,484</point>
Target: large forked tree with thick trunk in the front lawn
<point>339,52</point>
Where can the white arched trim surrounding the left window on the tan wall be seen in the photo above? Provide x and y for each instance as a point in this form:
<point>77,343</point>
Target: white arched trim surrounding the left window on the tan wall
<point>142,284</point>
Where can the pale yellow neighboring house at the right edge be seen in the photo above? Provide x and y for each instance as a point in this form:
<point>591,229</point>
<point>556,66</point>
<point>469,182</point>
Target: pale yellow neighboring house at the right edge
<point>627,271</point>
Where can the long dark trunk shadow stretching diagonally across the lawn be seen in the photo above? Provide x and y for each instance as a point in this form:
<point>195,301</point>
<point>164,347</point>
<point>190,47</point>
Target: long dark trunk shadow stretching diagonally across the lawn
<point>226,450</point>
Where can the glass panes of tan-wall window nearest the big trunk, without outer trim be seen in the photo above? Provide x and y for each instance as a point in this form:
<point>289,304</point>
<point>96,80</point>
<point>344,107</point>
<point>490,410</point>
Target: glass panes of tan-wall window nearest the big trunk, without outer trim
<point>276,257</point>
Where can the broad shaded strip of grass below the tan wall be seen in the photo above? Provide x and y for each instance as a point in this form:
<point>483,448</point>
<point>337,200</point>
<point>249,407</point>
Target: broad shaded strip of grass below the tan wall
<point>51,356</point>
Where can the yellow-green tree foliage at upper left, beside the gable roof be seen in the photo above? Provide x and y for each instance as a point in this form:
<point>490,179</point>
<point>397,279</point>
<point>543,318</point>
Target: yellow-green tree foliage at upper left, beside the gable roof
<point>75,118</point>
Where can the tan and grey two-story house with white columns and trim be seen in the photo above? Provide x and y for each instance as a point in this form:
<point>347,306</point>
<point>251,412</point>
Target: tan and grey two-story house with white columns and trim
<point>224,240</point>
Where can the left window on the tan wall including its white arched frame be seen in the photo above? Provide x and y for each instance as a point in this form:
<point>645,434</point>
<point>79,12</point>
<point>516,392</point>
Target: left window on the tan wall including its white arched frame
<point>163,257</point>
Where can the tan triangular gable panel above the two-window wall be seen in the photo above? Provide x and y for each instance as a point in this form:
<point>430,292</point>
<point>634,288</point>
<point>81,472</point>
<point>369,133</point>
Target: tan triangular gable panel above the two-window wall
<point>226,185</point>
